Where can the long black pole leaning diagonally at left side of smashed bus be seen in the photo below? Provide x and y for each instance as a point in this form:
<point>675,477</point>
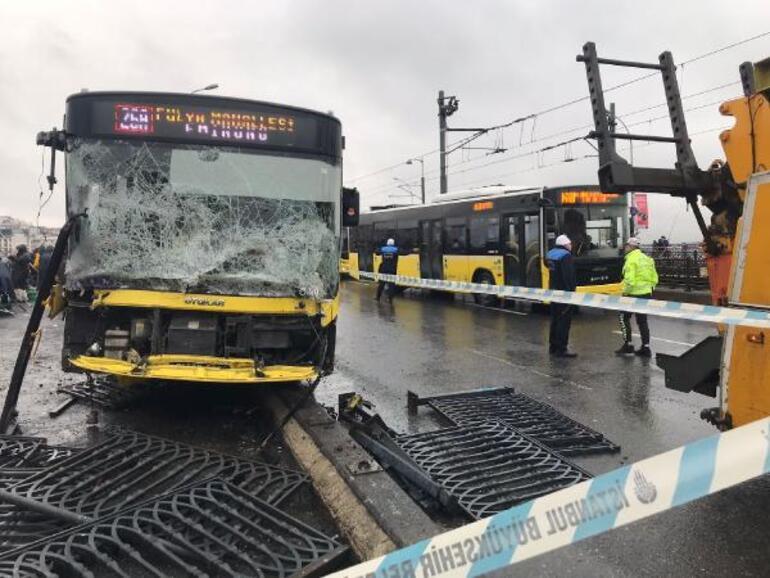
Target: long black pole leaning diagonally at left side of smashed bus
<point>28,341</point>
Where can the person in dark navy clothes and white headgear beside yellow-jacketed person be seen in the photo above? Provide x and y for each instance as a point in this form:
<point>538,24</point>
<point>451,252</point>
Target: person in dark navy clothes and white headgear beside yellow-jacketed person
<point>561,268</point>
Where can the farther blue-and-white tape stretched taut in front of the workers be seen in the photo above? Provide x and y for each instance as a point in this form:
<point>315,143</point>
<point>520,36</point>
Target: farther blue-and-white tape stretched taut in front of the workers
<point>675,309</point>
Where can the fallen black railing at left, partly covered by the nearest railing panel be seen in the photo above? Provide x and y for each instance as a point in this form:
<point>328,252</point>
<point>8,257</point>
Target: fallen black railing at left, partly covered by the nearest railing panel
<point>123,470</point>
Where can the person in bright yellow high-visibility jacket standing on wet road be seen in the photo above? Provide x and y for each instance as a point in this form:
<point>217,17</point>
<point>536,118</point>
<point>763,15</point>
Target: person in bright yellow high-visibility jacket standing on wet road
<point>639,280</point>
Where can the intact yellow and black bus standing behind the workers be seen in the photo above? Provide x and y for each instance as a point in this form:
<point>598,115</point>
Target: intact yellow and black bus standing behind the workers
<point>498,235</point>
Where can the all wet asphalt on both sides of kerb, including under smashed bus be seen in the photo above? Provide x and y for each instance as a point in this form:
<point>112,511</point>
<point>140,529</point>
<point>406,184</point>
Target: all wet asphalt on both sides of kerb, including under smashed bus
<point>432,344</point>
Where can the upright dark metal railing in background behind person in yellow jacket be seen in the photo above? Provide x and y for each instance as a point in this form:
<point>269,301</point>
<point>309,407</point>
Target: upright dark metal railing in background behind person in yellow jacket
<point>681,265</point>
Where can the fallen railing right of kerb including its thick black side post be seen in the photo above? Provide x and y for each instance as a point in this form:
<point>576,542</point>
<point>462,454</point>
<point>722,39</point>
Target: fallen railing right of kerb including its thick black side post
<point>480,468</point>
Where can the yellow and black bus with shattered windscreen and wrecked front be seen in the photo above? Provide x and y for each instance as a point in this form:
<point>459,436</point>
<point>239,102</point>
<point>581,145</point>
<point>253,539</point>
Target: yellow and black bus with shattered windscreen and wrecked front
<point>210,246</point>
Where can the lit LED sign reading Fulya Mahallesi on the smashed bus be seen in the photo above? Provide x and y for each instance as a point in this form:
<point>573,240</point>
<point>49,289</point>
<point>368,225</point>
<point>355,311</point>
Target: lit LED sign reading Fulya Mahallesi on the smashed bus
<point>201,123</point>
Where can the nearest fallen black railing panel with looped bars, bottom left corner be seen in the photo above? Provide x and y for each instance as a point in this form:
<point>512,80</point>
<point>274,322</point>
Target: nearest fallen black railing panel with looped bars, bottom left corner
<point>211,529</point>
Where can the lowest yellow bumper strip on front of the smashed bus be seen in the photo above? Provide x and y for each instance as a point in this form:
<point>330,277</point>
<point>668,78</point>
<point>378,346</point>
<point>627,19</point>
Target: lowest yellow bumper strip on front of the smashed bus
<point>195,368</point>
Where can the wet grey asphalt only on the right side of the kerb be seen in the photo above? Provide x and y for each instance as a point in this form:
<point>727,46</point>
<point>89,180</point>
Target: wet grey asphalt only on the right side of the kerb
<point>431,344</point>
